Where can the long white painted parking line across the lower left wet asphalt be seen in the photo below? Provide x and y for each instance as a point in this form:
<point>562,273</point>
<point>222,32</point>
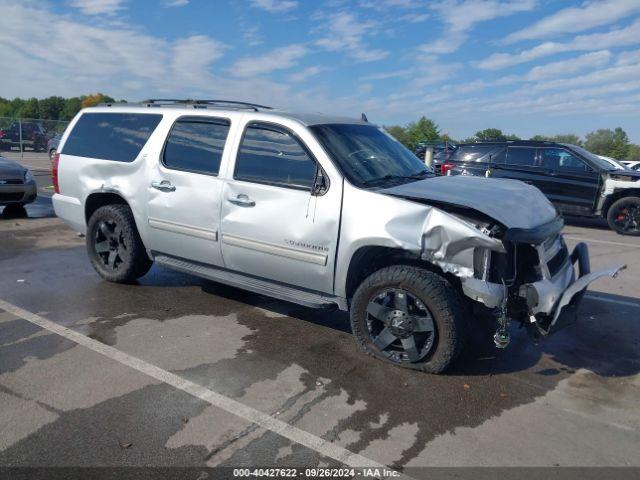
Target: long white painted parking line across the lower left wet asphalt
<point>313,442</point>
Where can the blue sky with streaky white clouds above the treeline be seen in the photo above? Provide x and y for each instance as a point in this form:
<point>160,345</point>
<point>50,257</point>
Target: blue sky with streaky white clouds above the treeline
<point>525,66</point>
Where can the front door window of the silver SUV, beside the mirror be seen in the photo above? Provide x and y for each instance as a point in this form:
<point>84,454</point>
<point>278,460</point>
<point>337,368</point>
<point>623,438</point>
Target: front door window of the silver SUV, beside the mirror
<point>272,156</point>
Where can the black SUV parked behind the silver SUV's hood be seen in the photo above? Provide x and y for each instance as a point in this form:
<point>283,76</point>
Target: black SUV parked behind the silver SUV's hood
<point>578,182</point>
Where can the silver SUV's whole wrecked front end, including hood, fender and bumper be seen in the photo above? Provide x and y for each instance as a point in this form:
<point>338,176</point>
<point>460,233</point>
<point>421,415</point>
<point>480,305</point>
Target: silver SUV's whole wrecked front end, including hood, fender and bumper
<point>502,240</point>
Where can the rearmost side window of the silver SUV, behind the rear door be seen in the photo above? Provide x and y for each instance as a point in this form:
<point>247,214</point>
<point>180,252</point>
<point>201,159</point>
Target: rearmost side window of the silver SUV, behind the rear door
<point>111,136</point>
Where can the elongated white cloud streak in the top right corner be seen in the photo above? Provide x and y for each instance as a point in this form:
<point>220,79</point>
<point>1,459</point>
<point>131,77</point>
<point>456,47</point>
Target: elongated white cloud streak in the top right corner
<point>577,19</point>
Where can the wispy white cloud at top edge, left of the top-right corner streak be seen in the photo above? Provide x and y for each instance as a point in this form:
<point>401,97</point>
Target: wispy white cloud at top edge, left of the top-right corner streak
<point>460,16</point>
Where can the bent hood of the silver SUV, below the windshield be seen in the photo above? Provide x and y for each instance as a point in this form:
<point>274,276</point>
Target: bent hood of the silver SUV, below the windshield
<point>513,203</point>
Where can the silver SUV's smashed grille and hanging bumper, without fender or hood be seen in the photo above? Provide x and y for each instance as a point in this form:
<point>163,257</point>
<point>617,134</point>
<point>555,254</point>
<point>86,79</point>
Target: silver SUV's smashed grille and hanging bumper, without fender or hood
<point>534,280</point>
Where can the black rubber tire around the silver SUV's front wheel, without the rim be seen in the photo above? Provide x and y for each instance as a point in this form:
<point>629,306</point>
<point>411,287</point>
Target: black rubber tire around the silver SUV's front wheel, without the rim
<point>450,316</point>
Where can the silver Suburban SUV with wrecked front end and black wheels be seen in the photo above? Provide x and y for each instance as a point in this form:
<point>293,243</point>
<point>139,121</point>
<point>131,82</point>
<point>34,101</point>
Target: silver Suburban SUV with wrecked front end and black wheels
<point>321,211</point>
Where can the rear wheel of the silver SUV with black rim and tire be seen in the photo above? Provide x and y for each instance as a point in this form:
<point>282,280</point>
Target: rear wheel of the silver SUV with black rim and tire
<point>114,245</point>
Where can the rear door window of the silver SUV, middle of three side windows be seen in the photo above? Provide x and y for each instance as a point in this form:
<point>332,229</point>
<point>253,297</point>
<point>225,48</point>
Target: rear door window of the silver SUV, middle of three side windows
<point>196,145</point>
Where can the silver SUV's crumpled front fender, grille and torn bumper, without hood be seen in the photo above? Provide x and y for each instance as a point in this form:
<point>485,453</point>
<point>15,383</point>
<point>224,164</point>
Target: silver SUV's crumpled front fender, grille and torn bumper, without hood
<point>522,275</point>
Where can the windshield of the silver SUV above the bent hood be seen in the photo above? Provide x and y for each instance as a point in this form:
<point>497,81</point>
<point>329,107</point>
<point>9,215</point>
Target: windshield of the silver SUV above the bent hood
<point>368,156</point>
